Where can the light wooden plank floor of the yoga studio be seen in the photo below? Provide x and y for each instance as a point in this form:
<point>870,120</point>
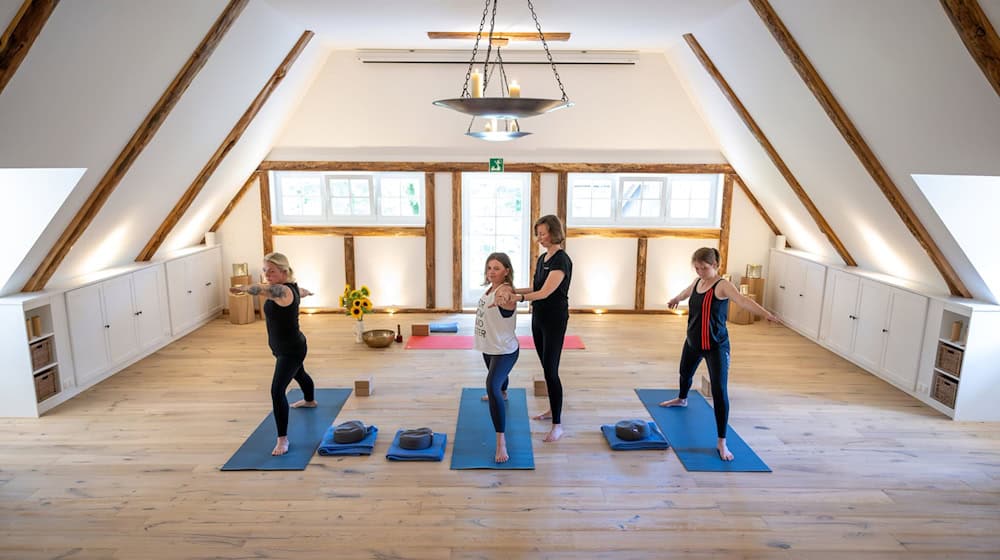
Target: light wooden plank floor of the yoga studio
<point>129,469</point>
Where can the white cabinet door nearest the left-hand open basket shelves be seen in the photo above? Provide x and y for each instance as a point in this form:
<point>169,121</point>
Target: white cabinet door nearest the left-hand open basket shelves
<point>87,333</point>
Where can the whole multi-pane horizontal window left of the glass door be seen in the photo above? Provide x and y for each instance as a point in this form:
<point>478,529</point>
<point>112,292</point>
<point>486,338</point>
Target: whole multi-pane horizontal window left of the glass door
<point>336,198</point>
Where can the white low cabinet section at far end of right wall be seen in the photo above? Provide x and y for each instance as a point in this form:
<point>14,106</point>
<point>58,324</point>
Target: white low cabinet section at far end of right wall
<point>796,291</point>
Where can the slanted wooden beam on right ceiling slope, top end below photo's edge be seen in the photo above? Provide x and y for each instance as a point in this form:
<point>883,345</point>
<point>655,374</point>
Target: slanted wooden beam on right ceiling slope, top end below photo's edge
<point>748,120</point>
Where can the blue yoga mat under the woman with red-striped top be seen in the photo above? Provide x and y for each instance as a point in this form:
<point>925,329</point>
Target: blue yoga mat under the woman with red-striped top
<point>691,432</point>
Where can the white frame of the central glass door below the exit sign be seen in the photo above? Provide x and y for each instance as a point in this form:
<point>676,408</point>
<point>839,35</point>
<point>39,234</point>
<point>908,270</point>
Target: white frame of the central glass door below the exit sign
<point>472,268</point>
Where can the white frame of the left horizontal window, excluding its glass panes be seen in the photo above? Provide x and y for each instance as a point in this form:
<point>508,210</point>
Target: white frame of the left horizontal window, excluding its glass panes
<point>376,218</point>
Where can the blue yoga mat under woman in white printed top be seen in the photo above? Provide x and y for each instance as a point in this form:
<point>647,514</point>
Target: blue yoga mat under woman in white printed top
<point>475,437</point>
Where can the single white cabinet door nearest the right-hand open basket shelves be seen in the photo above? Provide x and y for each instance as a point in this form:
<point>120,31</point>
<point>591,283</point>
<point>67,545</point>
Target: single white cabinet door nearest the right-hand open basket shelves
<point>904,338</point>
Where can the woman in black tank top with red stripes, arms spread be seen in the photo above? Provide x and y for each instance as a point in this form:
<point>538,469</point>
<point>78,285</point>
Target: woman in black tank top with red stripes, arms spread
<point>707,336</point>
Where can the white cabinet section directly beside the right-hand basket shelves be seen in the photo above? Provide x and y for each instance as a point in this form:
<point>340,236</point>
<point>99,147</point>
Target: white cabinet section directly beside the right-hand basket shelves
<point>878,326</point>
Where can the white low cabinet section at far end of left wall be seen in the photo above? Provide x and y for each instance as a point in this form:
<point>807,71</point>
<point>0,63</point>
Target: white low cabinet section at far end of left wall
<point>194,284</point>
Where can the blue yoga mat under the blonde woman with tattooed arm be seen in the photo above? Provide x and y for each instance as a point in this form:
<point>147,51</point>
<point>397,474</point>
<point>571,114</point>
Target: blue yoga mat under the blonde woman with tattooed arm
<point>306,427</point>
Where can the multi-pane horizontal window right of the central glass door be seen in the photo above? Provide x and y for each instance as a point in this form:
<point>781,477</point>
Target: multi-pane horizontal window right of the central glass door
<point>612,200</point>
